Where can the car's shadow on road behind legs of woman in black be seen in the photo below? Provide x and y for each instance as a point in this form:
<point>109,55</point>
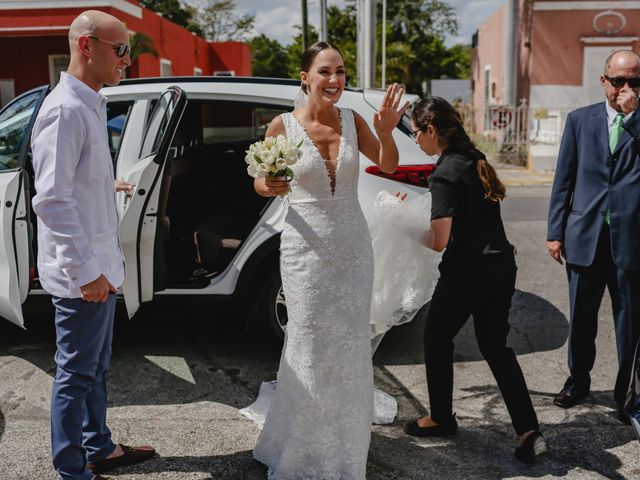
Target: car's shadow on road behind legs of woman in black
<point>536,326</point>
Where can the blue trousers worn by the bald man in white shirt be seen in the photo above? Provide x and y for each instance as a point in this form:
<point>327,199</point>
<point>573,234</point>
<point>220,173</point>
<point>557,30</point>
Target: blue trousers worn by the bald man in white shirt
<point>79,433</point>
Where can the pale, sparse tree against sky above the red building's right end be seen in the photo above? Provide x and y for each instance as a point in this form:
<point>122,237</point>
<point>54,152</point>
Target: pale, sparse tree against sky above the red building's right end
<point>220,22</point>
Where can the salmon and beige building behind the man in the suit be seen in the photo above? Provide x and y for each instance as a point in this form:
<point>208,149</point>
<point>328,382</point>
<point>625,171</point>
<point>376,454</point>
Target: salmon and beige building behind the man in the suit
<point>548,55</point>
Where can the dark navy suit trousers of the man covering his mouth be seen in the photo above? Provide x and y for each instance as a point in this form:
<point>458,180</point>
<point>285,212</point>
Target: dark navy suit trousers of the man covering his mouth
<point>586,288</point>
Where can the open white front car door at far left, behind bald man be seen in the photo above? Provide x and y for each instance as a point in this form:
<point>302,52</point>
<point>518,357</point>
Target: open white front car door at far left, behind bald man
<point>16,256</point>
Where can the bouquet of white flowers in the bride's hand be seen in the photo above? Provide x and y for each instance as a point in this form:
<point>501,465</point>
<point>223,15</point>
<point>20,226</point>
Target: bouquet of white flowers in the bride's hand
<point>273,157</point>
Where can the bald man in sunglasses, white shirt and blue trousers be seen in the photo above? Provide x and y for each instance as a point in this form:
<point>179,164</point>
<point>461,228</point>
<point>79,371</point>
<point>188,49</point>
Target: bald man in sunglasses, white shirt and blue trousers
<point>80,262</point>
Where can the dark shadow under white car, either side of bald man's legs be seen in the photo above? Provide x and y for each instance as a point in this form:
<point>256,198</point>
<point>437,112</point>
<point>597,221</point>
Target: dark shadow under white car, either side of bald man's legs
<point>173,352</point>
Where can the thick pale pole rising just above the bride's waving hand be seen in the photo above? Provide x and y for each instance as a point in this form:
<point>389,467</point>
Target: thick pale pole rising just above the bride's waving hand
<point>366,14</point>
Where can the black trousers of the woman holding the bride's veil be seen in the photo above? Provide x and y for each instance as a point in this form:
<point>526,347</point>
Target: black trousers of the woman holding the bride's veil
<point>482,287</point>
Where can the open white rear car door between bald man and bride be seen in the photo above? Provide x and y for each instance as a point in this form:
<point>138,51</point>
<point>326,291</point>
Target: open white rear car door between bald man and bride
<point>139,223</point>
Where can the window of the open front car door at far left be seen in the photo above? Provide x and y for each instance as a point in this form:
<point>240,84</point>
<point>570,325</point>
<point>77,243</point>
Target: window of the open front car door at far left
<point>14,122</point>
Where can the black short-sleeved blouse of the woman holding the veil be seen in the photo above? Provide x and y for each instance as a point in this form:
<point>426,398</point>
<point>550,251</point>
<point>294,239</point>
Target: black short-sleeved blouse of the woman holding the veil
<point>456,191</point>
